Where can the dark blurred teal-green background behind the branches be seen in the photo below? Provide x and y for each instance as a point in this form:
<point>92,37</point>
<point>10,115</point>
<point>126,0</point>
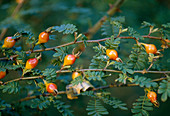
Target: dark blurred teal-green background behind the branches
<point>38,15</point>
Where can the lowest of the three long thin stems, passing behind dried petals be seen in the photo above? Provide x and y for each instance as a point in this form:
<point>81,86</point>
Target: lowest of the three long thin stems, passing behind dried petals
<point>95,89</point>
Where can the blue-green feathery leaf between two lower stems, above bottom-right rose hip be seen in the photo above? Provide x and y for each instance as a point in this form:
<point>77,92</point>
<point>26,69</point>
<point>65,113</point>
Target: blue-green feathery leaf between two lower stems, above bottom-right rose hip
<point>144,82</point>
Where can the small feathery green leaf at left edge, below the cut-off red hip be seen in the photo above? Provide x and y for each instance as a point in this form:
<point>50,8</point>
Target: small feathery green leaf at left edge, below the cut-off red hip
<point>11,87</point>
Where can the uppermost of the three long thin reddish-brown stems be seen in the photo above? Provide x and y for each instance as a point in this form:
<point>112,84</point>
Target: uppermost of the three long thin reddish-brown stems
<point>77,42</point>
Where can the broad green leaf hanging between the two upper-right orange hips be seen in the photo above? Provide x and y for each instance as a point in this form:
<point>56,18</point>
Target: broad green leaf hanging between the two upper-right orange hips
<point>137,58</point>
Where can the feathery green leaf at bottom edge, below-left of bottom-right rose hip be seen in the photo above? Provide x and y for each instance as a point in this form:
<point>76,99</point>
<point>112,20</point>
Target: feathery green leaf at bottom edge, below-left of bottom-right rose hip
<point>142,106</point>
